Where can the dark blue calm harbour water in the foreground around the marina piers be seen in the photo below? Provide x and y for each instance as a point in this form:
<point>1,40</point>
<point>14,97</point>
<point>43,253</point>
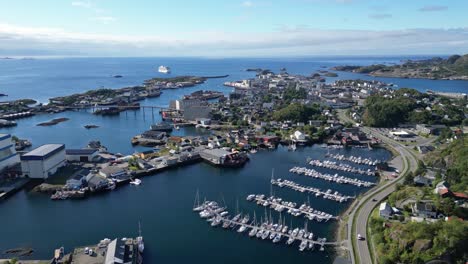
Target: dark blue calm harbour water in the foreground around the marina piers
<point>163,203</point>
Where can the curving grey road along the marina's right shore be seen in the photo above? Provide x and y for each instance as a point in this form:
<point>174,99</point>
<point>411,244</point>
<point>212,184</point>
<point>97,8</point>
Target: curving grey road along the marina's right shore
<point>361,212</point>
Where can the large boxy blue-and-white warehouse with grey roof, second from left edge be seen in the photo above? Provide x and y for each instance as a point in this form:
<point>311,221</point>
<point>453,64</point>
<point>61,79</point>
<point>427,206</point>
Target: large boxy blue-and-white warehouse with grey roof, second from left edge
<point>43,161</point>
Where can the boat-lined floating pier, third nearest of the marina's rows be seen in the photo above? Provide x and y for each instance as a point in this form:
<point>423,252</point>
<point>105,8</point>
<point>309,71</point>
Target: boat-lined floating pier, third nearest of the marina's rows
<point>329,194</point>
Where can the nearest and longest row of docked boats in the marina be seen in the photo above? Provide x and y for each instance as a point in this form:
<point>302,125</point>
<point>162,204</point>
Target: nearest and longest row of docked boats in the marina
<point>217,215</point>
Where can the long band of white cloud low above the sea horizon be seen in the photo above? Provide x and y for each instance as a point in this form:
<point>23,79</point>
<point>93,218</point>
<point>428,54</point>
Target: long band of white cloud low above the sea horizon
<point>299,41</point>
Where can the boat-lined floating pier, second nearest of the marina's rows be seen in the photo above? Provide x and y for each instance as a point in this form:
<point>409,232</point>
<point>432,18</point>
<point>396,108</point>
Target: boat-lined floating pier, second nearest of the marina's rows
<point>279,205</point>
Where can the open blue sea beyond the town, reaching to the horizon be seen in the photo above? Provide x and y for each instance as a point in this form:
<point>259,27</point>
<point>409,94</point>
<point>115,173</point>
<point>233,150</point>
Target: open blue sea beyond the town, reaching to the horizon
<point>42,79</point>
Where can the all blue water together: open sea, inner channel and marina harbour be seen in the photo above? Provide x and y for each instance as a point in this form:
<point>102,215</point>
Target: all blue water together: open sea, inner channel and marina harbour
<point>163,203</point>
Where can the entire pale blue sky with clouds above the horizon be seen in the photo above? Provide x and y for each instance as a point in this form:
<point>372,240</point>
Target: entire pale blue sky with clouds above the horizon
<point>232,28</point>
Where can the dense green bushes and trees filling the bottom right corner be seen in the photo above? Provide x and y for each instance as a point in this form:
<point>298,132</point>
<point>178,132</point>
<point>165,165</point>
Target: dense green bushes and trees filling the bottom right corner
<point>415,242</point>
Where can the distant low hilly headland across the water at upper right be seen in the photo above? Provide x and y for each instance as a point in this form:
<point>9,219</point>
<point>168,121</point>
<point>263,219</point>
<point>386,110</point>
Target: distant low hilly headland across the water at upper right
<point>454,67</point>
